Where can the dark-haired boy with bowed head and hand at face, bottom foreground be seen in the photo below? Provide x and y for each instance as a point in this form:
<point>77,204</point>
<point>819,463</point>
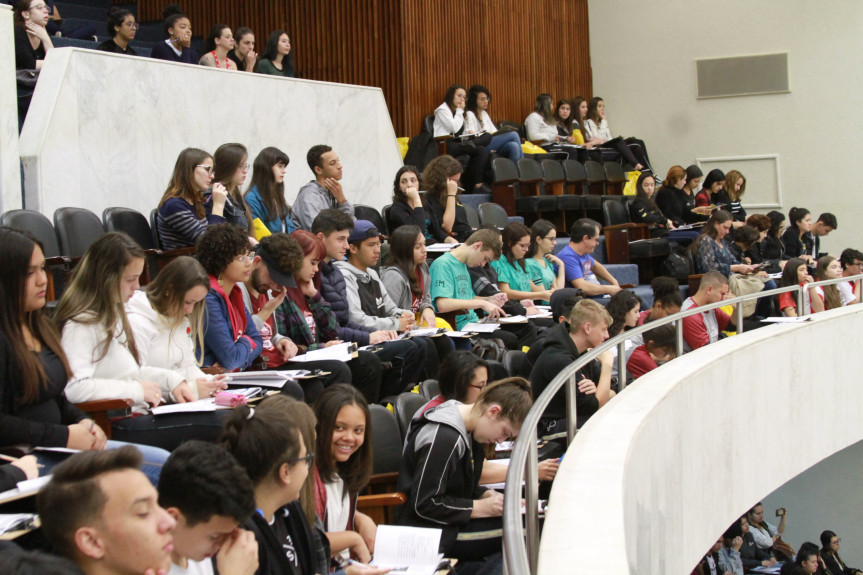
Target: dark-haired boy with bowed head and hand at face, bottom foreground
<point>209,496</point>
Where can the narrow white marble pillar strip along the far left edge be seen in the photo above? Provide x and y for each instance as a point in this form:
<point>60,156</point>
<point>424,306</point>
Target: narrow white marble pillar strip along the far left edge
<point>10,171</point>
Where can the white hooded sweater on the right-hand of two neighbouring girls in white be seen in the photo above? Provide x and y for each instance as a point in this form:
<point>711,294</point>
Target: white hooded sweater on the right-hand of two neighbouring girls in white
<point>159,345</point>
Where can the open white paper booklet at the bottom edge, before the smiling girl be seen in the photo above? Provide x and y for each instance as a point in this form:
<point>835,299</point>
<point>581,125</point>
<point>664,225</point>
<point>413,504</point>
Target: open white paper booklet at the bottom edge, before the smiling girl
<point>407,550</point>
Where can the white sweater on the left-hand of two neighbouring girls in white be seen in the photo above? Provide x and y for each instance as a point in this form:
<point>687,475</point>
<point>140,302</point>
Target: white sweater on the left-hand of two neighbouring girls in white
<point>116,375</point>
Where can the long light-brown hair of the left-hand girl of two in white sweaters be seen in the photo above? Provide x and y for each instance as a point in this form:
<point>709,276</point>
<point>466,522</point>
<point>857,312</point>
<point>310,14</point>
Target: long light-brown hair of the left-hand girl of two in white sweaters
<point>93,295</point>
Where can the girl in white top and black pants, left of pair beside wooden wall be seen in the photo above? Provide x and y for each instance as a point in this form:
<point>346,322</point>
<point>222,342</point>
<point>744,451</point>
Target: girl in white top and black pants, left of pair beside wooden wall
<point>449,121</point>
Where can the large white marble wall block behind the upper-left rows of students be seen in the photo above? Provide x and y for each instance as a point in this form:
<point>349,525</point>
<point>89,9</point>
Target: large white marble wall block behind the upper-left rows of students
<point>105,129</point>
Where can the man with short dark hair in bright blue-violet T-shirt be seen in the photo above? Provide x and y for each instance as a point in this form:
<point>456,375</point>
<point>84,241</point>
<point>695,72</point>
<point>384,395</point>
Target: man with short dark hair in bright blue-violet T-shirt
<point>582,270</point>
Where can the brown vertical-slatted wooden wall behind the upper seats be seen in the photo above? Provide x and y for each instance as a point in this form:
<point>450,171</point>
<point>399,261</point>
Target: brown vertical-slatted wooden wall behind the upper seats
<point>414,49</point>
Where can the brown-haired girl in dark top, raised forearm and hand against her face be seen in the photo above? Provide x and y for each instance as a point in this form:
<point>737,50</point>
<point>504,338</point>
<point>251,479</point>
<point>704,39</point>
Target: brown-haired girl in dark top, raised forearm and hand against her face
<point>447,217</point>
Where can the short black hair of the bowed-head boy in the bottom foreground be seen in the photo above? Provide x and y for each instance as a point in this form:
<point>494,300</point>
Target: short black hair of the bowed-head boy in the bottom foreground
<point>202,479</point>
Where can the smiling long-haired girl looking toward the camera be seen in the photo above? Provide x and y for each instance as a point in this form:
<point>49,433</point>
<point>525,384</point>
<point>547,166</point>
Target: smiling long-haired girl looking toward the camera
<point>342,470</point>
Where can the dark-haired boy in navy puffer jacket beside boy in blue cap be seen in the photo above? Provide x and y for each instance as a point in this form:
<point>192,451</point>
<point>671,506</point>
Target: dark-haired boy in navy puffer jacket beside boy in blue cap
<point>334,228</point>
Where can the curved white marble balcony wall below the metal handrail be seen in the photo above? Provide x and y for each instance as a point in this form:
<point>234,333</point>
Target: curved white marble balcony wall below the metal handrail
<point>655,475</point>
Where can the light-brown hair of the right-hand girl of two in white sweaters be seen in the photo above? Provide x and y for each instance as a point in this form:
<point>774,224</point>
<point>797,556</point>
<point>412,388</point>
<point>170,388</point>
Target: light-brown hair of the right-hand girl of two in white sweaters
<point>167,291</point>
